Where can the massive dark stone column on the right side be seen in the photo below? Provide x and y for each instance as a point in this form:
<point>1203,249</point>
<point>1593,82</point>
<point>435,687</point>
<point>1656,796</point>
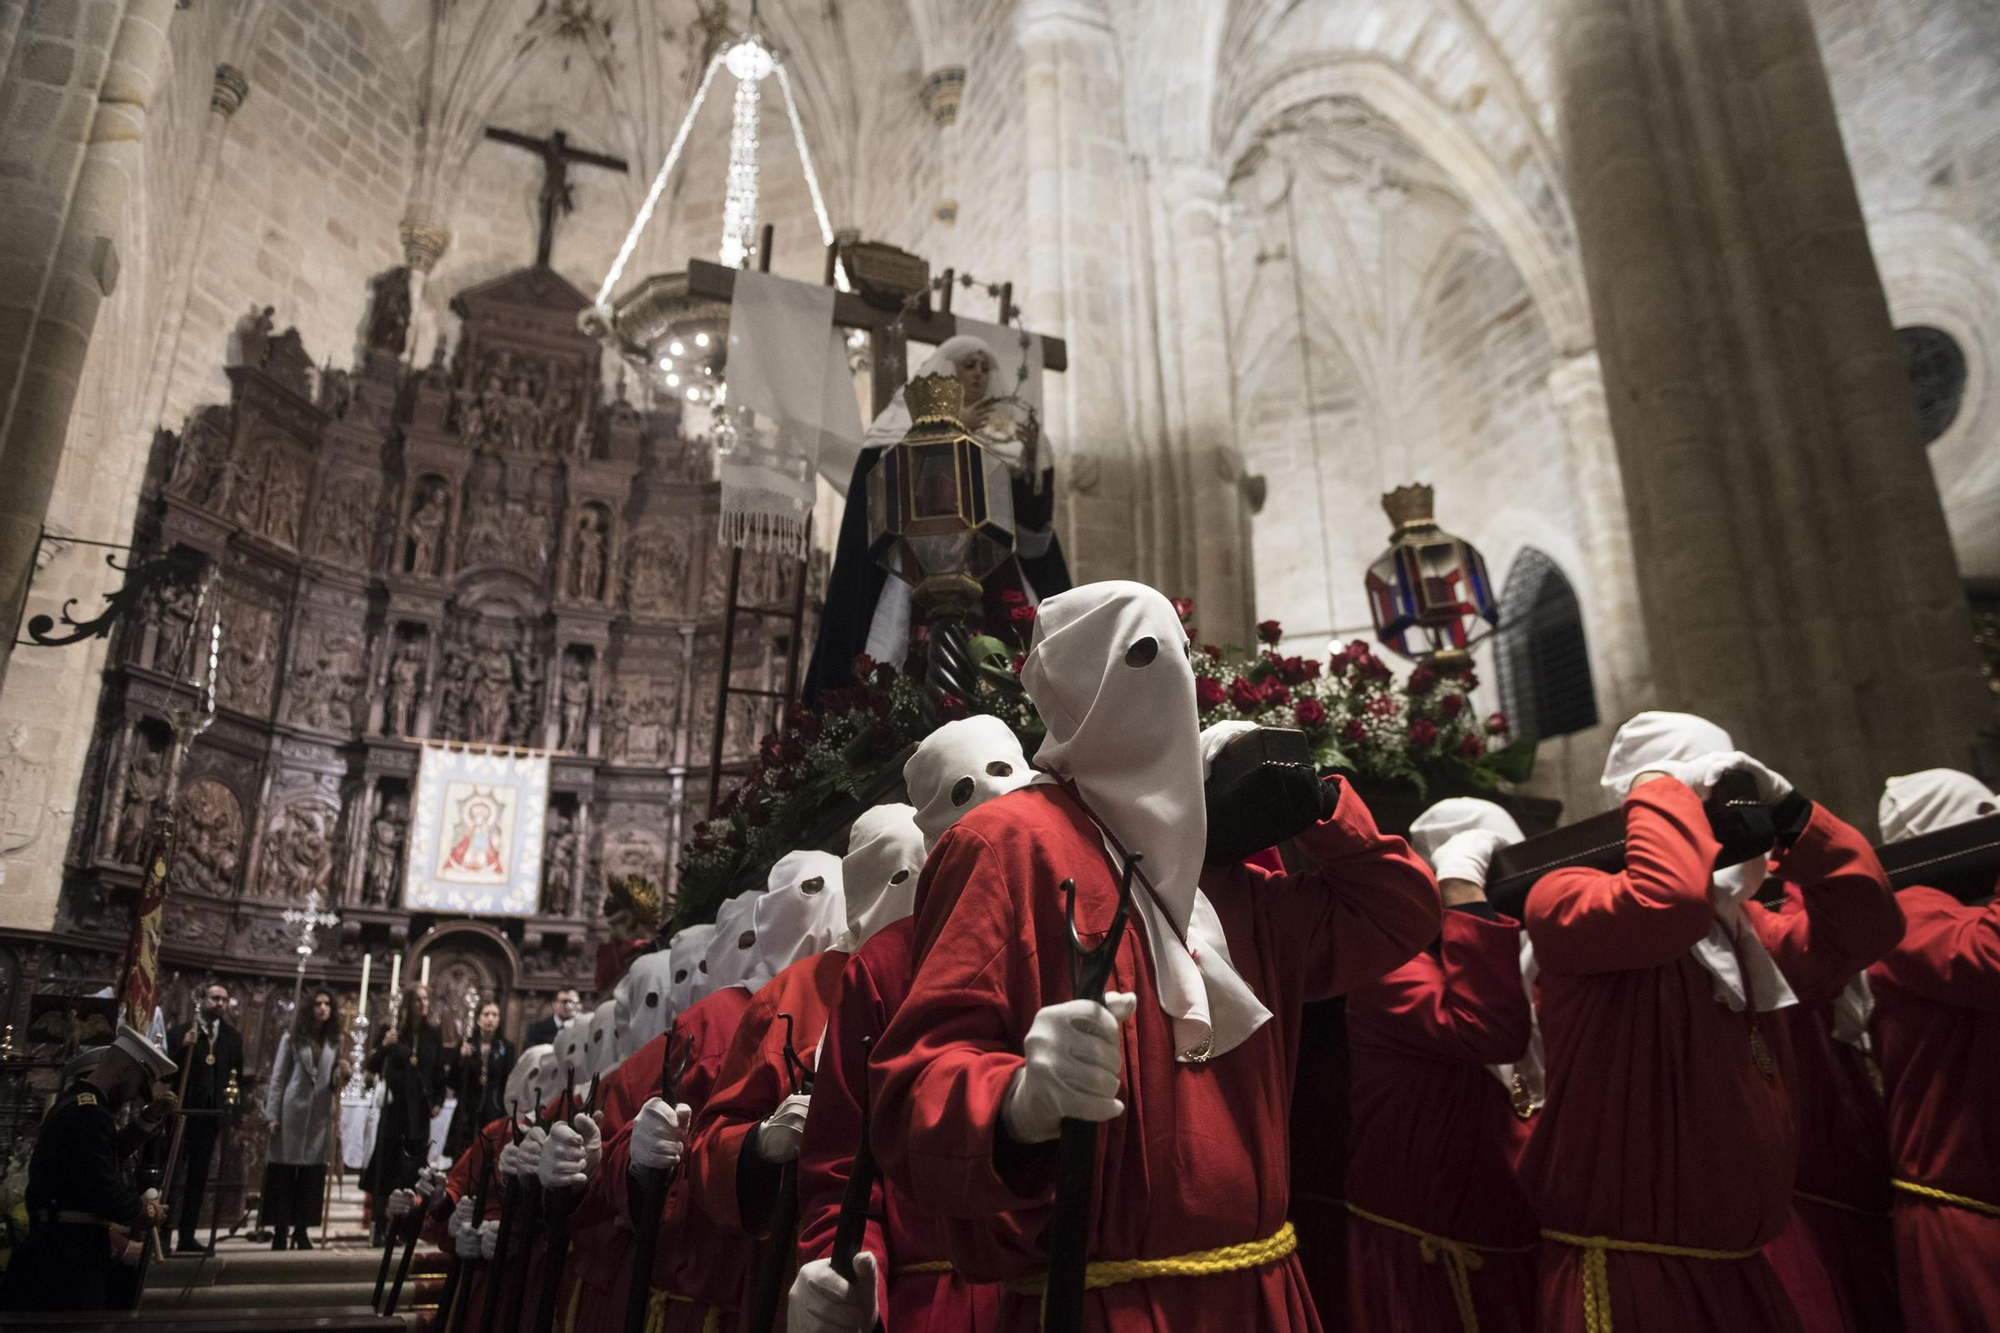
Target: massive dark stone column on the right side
<point>1793,561</point>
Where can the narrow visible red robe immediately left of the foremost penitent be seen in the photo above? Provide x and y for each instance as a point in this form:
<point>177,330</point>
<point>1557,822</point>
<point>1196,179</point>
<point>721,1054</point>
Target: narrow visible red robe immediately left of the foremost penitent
<point>873,988</point>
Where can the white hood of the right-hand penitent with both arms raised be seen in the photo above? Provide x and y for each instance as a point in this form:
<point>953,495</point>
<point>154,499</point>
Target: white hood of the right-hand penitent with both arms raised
<point>1667,738</point>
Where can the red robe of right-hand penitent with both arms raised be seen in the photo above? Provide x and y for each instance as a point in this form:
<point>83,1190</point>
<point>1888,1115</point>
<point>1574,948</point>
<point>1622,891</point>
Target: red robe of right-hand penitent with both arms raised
<point>1659,1126</point>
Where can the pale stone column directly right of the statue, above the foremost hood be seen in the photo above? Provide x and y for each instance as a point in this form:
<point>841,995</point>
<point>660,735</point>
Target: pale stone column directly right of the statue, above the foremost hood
<point>1077,271</point>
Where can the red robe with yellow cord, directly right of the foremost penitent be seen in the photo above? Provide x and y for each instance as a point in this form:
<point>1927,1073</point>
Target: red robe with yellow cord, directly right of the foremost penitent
<point>1435,1136</point>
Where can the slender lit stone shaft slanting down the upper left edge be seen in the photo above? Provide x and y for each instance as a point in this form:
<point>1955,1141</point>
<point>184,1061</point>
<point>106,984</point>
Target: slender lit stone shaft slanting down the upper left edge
<point>83,273</point>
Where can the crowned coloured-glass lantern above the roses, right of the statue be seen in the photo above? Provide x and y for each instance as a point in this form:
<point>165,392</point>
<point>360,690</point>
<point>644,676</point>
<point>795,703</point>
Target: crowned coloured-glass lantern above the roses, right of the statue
<point>1429,593</point>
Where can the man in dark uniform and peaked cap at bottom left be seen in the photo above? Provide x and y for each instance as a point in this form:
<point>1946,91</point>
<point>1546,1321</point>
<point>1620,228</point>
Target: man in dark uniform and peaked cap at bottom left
<point>87,1220</point>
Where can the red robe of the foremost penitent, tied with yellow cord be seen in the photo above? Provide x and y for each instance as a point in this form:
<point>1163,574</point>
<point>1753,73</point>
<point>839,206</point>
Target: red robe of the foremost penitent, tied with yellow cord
<point>1199,1160</point>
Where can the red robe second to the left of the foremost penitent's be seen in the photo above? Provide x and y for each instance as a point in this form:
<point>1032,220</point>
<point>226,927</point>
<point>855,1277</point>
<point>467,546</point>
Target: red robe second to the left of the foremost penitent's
<point>753,1082</point>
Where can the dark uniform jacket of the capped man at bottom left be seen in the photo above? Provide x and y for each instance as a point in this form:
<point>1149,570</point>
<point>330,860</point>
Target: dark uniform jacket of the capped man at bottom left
<point>77,1194</point>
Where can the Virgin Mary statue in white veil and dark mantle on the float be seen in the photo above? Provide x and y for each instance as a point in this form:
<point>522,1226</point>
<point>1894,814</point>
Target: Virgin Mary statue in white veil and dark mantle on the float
<point>867,611</point>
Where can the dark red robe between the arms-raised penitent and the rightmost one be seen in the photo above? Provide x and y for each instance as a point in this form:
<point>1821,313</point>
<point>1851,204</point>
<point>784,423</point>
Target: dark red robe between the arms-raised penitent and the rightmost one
<point>1841,1194</point>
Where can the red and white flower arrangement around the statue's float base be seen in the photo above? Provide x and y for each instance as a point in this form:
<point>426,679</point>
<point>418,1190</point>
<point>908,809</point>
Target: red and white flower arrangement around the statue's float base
<point>1359,720</point>
